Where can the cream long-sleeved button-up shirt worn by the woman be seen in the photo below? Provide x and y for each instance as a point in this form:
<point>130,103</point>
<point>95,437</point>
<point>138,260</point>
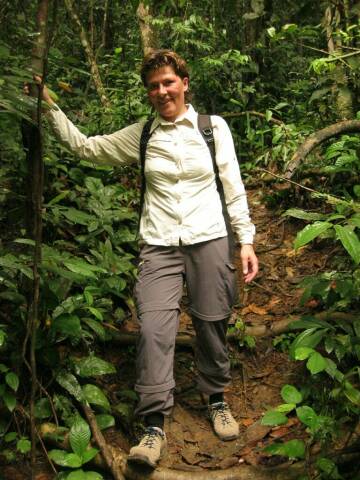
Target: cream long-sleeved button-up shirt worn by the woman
<point>181,199</point>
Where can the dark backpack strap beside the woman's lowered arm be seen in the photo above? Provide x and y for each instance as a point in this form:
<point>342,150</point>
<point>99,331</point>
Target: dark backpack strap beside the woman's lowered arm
<point>206,130</point>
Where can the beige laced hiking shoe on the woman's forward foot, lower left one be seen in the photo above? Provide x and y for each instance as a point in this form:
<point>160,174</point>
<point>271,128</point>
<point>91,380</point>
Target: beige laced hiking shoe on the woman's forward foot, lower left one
<point>150,449</point>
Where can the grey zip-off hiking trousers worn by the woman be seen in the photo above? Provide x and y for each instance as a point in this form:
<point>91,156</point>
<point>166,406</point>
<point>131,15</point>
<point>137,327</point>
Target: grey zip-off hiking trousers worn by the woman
<point>211,282</point>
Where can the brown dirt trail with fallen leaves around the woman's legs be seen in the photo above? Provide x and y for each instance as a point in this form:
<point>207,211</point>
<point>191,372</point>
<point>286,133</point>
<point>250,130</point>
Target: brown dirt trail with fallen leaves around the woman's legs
<point>258,372</point>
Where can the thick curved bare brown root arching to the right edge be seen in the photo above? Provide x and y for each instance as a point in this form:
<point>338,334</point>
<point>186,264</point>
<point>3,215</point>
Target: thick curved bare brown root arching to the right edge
<point>316,139</point>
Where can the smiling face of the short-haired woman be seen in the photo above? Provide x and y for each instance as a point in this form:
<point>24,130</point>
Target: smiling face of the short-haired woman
<point>166,92</point>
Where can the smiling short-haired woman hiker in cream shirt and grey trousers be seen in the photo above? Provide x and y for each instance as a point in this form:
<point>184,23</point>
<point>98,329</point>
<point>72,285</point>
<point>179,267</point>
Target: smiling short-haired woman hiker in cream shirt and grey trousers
<point>183,237</point>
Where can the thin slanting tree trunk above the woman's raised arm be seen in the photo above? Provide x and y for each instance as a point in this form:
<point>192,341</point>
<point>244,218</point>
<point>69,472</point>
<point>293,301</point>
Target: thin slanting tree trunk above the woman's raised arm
<point>89,53</point>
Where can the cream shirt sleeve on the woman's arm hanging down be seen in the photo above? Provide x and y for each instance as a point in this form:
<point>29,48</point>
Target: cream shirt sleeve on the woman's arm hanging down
<point>229,172</point>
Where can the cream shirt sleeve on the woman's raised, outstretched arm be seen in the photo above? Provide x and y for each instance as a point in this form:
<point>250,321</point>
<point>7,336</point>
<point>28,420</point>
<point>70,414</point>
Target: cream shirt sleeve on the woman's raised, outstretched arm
<point>119,148</point>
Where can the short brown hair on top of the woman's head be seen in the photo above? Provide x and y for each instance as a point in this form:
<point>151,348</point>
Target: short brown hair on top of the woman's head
<point>156,59</point>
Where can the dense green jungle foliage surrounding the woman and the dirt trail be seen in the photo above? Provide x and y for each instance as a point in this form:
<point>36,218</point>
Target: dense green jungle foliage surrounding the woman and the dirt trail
<point>280,72</point>
